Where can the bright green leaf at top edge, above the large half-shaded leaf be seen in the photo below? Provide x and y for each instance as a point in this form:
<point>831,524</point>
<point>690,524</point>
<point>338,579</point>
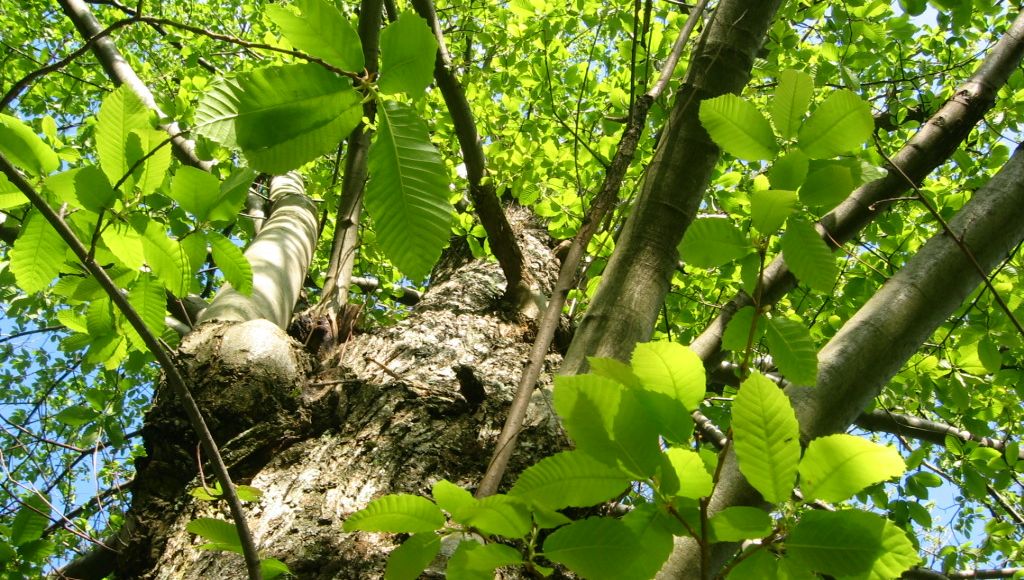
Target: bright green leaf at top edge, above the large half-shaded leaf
<point>321,31</point>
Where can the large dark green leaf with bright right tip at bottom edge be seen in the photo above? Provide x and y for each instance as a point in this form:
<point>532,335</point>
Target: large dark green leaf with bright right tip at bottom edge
<point>850,545</point>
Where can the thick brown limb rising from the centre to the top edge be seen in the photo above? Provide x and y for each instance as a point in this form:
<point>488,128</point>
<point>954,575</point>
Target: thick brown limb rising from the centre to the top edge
<point>634,284</point>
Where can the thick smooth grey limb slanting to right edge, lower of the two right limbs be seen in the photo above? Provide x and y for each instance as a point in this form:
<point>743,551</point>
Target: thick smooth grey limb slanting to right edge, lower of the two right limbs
<point>871,348</point>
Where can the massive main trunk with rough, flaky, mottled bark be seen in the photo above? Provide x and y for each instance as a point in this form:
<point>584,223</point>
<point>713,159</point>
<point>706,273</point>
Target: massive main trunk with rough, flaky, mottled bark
<point>393,410</point>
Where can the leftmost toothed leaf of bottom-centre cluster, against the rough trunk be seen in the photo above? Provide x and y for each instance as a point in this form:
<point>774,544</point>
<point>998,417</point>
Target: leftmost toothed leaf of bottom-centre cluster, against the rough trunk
<point>399,514</point>
